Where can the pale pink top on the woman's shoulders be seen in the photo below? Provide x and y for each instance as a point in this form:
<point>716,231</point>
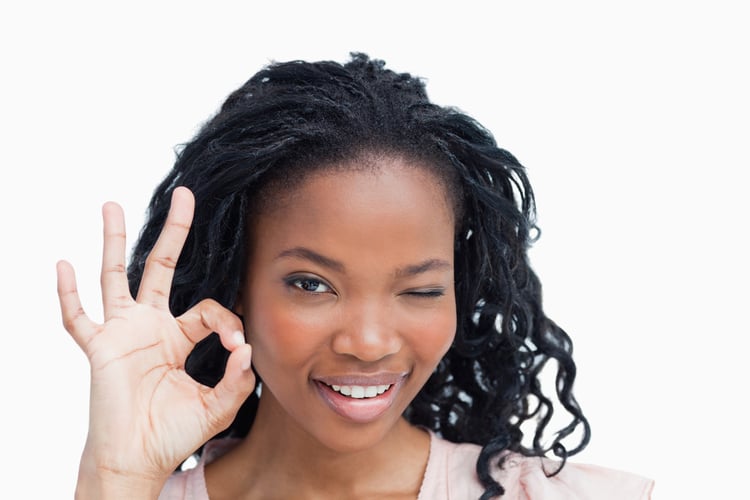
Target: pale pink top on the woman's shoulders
<point>451,475</point>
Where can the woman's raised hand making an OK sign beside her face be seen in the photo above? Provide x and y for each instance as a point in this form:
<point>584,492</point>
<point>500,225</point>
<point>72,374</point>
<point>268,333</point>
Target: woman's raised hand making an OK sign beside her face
<point>146,413</point>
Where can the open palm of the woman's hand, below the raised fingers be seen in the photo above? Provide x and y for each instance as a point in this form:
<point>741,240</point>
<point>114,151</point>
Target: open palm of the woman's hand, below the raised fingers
<point>140,396</point>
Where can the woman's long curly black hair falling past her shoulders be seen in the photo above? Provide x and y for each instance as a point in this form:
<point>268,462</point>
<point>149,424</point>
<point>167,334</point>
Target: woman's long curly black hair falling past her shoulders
<point>291,118</point>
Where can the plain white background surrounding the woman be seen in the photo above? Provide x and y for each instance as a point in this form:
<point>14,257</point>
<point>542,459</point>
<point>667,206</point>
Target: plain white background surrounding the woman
<point>632,118</point>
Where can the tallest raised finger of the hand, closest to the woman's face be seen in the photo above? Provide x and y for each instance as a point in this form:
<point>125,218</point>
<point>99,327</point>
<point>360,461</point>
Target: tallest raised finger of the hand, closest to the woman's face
<point>162,260</point>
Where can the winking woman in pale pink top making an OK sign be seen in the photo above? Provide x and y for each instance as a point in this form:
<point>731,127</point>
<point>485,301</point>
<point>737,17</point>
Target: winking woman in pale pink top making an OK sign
<point>371,247</point>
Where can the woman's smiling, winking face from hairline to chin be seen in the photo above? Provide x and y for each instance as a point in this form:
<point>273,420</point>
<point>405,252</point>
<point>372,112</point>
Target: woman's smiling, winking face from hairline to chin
<point>349,299</point>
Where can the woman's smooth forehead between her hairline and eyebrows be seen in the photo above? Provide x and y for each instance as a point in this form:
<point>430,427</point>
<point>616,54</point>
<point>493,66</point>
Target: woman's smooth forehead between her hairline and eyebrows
<point>388,207</point>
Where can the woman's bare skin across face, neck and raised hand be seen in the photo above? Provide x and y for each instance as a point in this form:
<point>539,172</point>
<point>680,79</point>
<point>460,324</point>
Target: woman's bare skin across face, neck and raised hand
<point>349,284</point>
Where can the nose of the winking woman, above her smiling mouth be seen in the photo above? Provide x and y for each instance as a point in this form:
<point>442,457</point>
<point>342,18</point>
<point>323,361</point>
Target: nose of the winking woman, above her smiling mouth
<point>367,333</point>
